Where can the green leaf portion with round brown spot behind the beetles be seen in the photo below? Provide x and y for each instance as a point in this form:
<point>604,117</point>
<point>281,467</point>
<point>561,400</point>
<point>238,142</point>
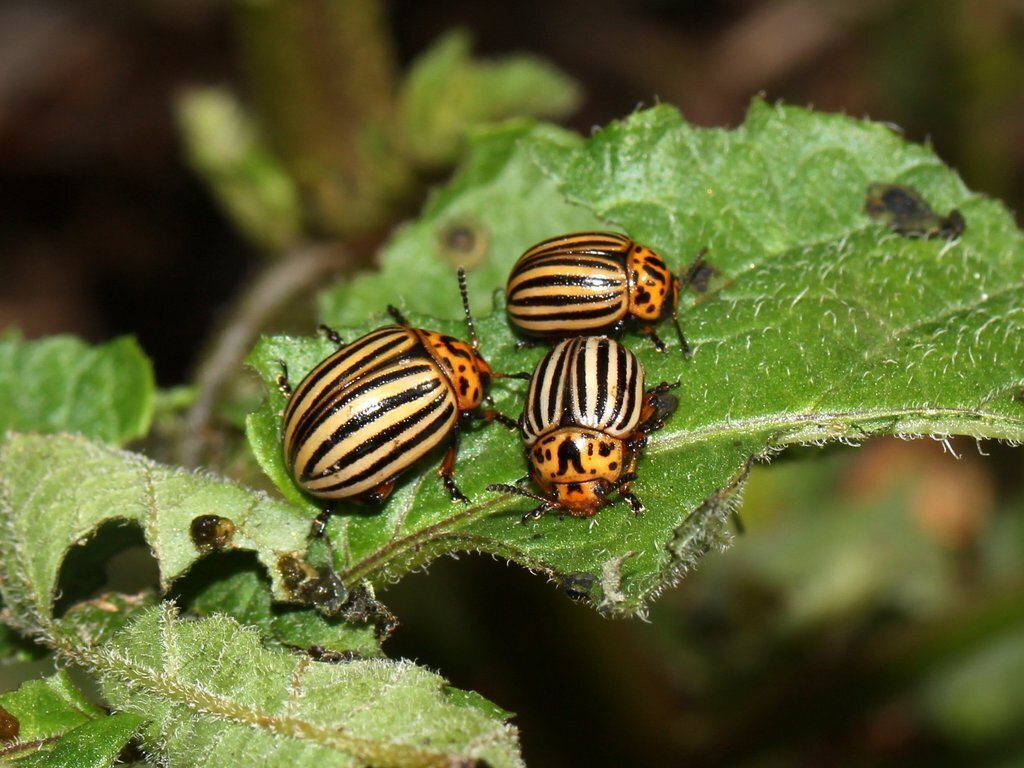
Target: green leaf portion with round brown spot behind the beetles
<point>498,203</point>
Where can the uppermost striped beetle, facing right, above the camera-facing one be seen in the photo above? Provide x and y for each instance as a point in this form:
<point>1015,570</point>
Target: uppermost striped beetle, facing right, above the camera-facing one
<point>589,283</point>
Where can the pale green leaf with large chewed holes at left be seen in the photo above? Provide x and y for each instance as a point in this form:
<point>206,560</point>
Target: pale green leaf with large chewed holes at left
<point>57,491</point>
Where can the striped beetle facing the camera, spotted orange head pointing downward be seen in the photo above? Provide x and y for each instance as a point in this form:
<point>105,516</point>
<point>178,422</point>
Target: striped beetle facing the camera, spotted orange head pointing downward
<point>585,422</point>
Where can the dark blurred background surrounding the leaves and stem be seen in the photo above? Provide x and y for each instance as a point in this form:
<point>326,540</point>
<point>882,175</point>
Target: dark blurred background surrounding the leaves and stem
<point>873,613</point>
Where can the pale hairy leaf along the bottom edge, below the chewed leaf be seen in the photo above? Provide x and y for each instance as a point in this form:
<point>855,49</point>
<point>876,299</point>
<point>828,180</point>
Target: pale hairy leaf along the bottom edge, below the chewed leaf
<point>208,688</point>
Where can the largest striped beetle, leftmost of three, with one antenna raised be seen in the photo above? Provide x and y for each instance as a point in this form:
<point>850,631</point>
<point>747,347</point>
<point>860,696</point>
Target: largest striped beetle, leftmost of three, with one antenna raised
<point>378,405</point>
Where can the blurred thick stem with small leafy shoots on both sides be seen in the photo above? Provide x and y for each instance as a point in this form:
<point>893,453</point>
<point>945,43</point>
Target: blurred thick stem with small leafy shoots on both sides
<point>339,148</point>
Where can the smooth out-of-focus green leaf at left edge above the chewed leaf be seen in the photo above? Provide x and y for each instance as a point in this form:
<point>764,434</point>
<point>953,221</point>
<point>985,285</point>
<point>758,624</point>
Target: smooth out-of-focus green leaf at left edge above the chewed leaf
<point>61,385</point>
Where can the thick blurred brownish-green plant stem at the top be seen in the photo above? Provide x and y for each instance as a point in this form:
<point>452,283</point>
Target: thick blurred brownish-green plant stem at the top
<point>323,78</point>
